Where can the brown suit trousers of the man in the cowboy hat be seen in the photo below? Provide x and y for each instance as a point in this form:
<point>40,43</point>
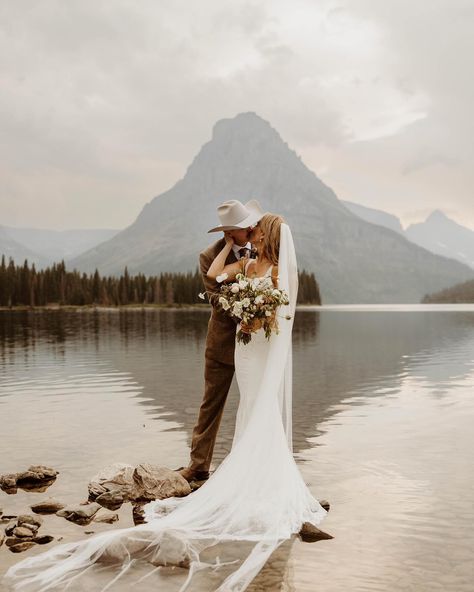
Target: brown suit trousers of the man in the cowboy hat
<point>218,378</point>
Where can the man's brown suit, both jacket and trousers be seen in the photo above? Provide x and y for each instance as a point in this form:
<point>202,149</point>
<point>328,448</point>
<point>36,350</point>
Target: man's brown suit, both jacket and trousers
<point>219,366</point>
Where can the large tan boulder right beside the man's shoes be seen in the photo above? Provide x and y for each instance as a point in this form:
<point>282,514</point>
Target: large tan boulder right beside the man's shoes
<point>153,482</point>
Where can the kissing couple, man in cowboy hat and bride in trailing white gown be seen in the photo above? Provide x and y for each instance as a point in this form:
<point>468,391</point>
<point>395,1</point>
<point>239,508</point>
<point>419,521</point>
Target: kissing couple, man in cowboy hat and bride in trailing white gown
<point>221,535</point>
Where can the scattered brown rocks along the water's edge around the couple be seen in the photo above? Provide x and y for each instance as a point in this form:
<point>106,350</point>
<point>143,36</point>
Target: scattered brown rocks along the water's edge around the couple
<point>108,490</point>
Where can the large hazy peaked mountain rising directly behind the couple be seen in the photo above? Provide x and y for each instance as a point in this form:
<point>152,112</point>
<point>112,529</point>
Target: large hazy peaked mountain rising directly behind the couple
<point>354,261</point>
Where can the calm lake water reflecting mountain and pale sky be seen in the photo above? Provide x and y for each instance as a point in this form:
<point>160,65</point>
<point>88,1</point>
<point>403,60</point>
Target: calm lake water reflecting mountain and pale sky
<point>383,429</point>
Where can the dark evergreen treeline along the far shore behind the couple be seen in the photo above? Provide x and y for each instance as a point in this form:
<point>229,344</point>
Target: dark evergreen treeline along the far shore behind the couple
<point>26,286</point>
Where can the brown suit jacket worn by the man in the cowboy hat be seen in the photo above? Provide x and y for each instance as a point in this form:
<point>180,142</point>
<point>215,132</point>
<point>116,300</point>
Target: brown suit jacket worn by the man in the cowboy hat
<point>220,341</point>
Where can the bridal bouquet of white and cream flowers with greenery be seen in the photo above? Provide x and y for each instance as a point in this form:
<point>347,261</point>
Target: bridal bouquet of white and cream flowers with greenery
<point>254,301</point>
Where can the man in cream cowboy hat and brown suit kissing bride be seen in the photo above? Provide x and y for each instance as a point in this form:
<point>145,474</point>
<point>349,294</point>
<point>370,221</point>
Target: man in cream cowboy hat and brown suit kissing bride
<point>238,219</point>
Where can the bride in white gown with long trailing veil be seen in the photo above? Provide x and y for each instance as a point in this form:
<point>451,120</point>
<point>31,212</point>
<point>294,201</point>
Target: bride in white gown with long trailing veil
<point>223,533</point>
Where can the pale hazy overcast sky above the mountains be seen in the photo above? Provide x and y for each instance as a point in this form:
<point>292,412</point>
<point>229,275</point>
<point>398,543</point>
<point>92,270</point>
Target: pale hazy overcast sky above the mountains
<point>104,103</point>
